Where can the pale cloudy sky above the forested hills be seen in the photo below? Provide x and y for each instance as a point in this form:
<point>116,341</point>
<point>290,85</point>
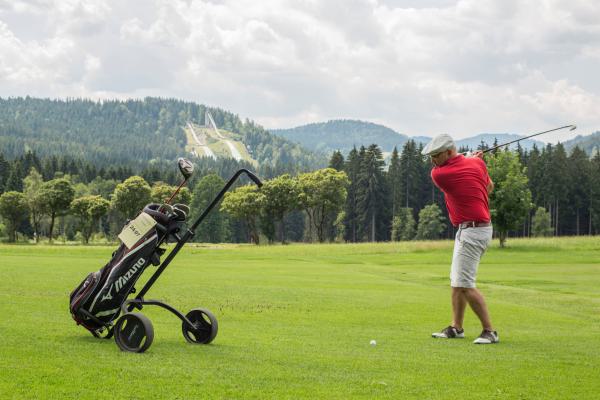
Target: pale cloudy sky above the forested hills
<point>420,67</point>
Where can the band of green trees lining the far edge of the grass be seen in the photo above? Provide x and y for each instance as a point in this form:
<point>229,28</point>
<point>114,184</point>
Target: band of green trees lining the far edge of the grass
<point>358,198</point>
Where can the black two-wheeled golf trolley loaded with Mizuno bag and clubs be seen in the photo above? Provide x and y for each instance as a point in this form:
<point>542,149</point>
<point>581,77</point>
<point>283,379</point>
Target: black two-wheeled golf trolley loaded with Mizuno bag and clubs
<point>103,295</point>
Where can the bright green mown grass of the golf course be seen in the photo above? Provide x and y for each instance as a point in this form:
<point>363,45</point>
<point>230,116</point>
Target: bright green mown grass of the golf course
<point>296,321</point>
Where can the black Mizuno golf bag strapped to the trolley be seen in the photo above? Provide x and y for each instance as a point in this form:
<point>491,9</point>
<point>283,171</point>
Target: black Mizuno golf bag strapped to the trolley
<point>97,301</point>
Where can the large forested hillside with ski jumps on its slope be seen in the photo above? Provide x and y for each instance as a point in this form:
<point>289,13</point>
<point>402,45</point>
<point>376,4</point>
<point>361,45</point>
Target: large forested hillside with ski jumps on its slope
<point>137,132</point>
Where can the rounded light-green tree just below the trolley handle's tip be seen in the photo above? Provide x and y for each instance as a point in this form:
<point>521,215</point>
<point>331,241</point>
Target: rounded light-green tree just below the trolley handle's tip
<point>245,203</point>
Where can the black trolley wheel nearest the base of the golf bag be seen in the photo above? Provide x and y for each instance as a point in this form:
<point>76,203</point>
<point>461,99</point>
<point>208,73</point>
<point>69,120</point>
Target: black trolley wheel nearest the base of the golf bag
<point>134,332</point>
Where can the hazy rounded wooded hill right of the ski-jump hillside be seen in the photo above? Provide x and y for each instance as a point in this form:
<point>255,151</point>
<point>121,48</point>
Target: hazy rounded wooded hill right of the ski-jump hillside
<point>342,135</point>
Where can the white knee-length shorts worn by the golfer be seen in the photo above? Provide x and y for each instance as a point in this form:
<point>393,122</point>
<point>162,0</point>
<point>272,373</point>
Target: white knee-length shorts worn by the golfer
<point>469,246</point>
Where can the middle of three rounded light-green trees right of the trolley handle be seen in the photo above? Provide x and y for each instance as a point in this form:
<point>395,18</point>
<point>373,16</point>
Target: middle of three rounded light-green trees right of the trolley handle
<point>281,196</point>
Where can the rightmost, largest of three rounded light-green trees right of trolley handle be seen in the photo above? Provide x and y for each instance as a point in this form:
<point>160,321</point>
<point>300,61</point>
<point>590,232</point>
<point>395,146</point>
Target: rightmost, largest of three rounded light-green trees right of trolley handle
<point>322,196</point>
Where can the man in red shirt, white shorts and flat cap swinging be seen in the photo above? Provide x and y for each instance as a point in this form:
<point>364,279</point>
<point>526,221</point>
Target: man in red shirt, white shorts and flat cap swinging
<point>466,185</point>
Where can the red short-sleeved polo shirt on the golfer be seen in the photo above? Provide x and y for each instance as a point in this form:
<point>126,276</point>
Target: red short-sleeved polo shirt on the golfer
<point>464,182</point>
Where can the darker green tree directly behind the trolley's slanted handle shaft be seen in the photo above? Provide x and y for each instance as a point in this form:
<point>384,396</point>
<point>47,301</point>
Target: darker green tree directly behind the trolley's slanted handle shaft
<point>214,227</point>
